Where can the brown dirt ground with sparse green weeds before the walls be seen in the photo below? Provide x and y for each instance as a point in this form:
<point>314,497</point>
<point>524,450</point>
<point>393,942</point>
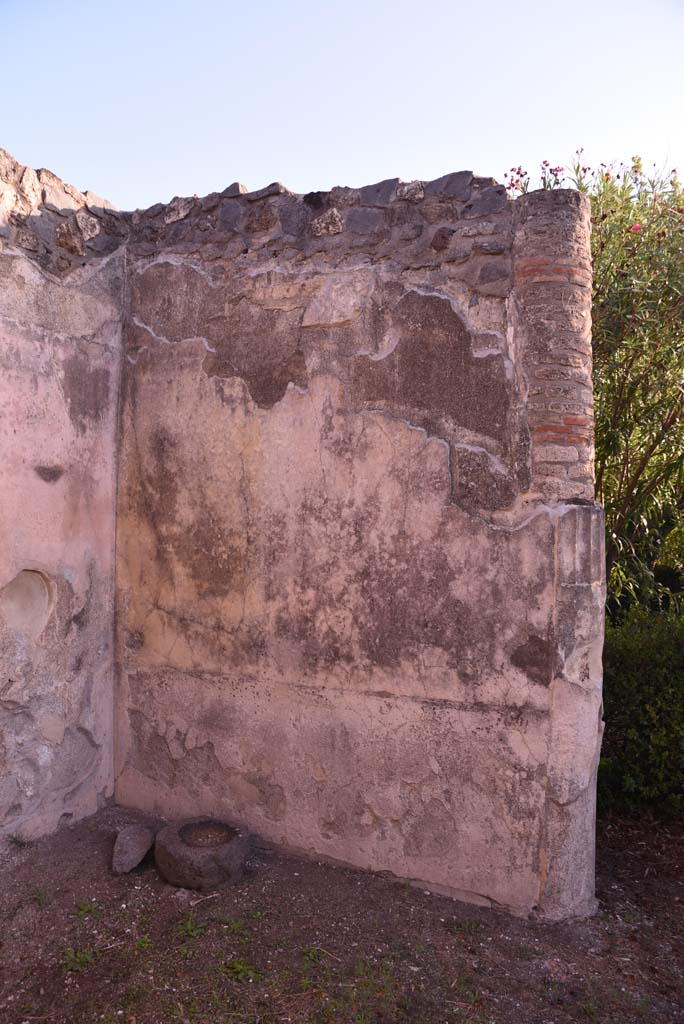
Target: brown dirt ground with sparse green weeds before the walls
<point>298,941</point>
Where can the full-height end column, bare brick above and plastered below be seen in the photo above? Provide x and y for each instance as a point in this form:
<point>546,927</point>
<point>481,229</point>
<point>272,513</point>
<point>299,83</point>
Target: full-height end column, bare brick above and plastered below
<point>551,338</point>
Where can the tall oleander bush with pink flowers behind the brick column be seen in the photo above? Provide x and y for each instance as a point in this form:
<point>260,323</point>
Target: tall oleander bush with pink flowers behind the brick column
<point>638,348</point>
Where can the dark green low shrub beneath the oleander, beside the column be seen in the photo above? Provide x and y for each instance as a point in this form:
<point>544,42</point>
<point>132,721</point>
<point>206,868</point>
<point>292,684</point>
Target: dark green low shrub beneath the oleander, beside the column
<point>643,763</point>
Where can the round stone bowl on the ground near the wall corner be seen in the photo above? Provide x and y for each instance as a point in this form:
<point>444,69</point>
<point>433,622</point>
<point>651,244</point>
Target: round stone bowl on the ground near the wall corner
<point>202,854</point>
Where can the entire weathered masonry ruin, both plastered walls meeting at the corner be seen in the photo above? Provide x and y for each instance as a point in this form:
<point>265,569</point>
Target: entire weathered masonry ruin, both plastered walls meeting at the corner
<point>297,524</point>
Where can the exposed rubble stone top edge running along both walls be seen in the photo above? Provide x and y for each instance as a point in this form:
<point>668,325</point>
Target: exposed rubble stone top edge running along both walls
<point>61,228</point>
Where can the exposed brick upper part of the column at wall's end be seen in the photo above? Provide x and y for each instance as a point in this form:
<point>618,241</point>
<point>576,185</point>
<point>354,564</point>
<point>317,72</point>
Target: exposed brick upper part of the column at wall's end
<point>551,319</point>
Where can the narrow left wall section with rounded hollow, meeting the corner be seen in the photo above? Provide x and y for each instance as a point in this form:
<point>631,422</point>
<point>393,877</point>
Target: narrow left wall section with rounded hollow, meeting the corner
<point>61,318</point>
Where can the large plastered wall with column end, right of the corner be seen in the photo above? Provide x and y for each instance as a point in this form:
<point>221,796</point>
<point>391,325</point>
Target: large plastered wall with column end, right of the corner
<point>360,569</point>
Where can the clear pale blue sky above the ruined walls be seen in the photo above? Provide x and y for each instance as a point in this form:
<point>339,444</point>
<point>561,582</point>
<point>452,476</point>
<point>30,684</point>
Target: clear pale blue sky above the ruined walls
<point>144,100</point>
